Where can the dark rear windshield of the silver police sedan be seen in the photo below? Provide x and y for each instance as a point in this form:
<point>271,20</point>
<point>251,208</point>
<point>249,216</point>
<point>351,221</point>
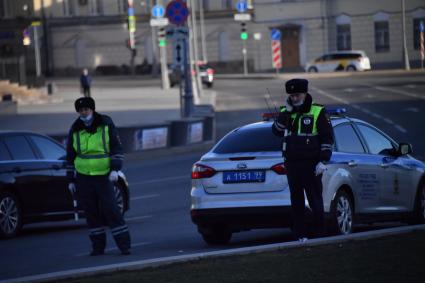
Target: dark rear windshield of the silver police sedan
<point>249,140</point>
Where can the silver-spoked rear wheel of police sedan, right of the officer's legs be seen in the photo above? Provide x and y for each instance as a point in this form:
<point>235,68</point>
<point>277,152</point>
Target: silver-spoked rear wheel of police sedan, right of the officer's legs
<point>342,211</point>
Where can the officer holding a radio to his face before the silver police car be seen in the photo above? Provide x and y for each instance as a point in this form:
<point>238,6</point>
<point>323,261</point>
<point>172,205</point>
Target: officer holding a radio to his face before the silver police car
<point>307,146</point>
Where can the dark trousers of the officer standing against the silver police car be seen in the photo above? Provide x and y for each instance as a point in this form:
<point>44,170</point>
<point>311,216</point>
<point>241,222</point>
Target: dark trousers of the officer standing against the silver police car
<point>301,178</point>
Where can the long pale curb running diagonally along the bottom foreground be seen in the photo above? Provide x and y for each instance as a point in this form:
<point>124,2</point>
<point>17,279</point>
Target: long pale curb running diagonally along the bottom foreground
<point>142,264</point>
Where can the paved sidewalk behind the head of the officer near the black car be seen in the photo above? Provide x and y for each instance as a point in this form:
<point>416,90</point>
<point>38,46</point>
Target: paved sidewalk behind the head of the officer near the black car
<point>137,101</point>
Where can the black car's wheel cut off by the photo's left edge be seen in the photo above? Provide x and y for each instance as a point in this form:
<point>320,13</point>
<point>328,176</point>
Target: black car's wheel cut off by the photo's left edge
<point>10,215</point>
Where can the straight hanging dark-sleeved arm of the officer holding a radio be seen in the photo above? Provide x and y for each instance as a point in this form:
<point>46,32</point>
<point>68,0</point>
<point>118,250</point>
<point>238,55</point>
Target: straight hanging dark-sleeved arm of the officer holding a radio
<point>324,128</point>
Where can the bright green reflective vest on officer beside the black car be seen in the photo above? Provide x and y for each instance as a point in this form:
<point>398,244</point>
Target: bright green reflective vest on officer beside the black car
<point>92,150</point>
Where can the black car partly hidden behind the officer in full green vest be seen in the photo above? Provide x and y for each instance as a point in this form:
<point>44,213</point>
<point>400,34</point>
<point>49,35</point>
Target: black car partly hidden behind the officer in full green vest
<point>33,182</point>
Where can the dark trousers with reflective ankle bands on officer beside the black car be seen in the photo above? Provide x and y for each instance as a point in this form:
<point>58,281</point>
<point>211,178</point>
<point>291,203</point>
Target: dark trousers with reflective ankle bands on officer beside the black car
<point>97,198</point>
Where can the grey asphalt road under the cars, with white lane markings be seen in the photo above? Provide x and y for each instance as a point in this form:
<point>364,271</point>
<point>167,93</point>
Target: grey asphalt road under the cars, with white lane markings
<point>159,216</point>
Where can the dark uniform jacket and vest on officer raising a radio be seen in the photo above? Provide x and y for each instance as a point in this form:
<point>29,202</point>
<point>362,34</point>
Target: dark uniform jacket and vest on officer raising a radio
<point>309,132</point>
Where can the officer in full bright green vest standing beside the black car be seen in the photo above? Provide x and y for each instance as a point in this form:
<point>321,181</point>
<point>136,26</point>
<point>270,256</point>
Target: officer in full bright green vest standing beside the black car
<point>95,151</point>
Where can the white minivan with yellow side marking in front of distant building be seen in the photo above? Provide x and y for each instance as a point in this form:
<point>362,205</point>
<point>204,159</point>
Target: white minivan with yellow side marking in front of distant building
<point>340,61</point>
